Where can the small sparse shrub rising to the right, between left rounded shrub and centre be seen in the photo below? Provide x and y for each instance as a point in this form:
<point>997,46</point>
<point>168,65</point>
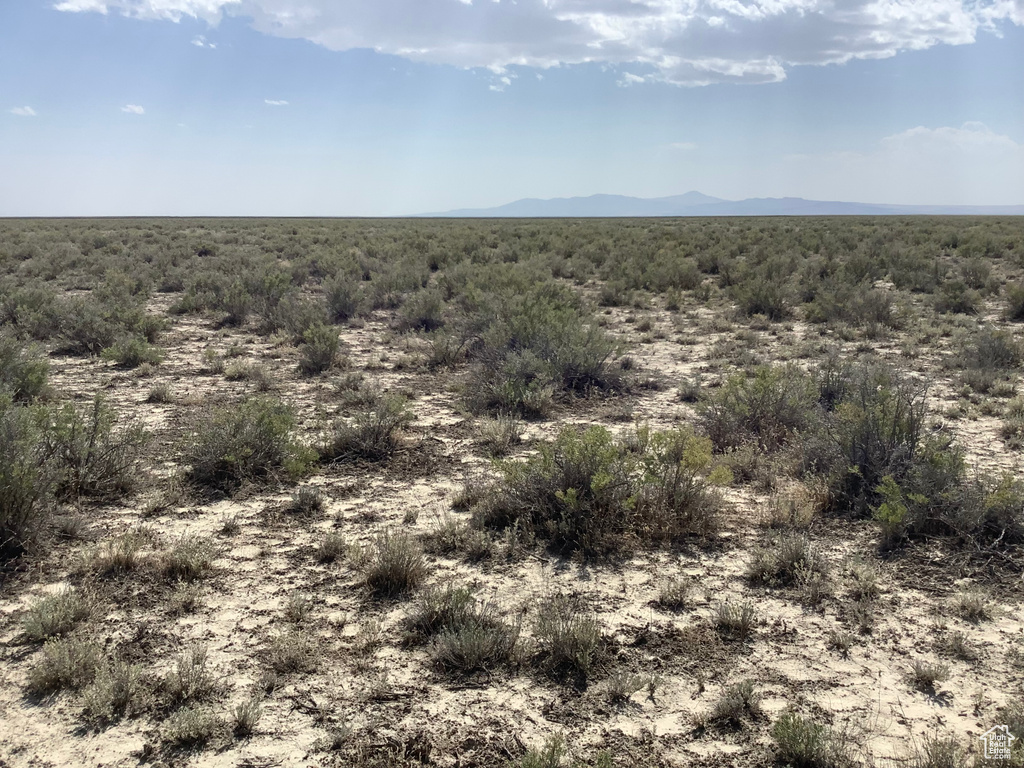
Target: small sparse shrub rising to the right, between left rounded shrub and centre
<point>372,435</point>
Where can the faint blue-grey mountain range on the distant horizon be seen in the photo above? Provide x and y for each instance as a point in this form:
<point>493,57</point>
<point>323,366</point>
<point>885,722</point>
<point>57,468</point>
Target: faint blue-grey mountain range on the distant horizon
<point>696,204</point>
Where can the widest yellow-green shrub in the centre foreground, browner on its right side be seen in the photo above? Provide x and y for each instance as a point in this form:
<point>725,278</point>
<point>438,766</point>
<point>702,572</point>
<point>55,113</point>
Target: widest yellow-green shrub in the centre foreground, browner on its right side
<point>586,493</point>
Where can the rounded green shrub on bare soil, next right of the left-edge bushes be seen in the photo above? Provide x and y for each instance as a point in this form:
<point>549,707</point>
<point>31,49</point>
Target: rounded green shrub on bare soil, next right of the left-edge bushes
<point>250,443</point>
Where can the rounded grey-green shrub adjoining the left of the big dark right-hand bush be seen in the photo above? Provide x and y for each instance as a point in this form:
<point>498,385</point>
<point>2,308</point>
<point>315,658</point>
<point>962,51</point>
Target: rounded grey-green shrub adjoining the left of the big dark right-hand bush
<point>771,409</point>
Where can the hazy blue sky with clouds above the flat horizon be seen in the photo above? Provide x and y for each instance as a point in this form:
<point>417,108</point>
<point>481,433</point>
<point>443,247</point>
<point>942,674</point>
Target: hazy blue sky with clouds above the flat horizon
<point>381,108</point>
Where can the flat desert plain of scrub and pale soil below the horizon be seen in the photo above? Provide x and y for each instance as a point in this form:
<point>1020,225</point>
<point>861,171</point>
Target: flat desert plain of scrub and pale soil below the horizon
<point>529,494</point>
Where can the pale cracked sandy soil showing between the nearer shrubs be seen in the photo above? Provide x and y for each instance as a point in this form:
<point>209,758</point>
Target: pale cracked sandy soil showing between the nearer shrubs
<point>367,680</point>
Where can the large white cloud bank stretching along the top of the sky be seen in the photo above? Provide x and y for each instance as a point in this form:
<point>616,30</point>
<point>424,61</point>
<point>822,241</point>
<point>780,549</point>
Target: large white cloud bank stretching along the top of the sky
<point>688,42</point>
